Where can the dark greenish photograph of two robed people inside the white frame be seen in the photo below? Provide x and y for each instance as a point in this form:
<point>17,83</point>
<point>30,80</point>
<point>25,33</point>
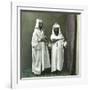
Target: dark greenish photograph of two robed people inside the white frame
<point>48,43</point>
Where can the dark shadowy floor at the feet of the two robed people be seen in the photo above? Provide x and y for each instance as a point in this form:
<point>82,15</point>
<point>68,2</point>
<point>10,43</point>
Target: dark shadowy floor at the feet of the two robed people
<point>46,73</point>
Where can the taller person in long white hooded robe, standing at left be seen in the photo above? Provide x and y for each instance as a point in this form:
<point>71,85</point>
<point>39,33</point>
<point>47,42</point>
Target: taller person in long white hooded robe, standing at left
<point>40,54</point>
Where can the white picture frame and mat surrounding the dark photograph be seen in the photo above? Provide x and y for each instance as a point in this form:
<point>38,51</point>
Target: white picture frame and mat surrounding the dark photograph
<point>15,43</point>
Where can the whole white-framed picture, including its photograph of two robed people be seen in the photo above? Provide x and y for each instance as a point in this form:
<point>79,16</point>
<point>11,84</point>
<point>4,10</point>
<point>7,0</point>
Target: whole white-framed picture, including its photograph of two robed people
<point>47,45</point>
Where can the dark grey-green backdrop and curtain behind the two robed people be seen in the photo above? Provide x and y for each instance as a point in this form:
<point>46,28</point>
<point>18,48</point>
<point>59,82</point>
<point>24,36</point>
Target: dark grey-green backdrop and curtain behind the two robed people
<point>68,23</point>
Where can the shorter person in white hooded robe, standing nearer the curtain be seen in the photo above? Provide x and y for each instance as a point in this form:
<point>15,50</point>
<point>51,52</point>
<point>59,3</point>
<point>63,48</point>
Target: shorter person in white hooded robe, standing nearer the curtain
<point>58,44</point>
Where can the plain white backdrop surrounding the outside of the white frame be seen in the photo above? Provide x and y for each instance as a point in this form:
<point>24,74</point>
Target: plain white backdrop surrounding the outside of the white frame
<point>5,39</point>
